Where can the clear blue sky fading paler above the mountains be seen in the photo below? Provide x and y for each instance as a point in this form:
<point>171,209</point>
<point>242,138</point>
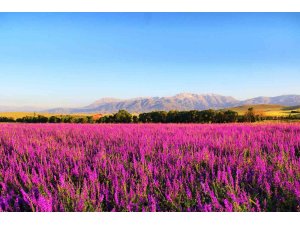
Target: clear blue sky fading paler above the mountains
<point>72,59</point>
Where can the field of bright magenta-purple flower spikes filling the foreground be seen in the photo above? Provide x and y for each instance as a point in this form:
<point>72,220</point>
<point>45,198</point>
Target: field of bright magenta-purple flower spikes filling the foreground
<point>149,167</point>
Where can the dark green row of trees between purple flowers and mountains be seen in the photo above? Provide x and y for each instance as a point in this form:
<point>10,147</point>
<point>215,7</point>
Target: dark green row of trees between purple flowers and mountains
<point>173,116</point>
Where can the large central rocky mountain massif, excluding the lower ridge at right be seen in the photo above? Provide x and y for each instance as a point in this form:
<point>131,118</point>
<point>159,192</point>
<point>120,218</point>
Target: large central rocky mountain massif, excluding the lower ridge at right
<point>183,101</point>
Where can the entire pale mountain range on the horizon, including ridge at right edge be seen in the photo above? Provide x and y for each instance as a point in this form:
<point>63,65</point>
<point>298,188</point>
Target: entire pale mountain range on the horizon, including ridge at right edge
<point>183,101</point>
